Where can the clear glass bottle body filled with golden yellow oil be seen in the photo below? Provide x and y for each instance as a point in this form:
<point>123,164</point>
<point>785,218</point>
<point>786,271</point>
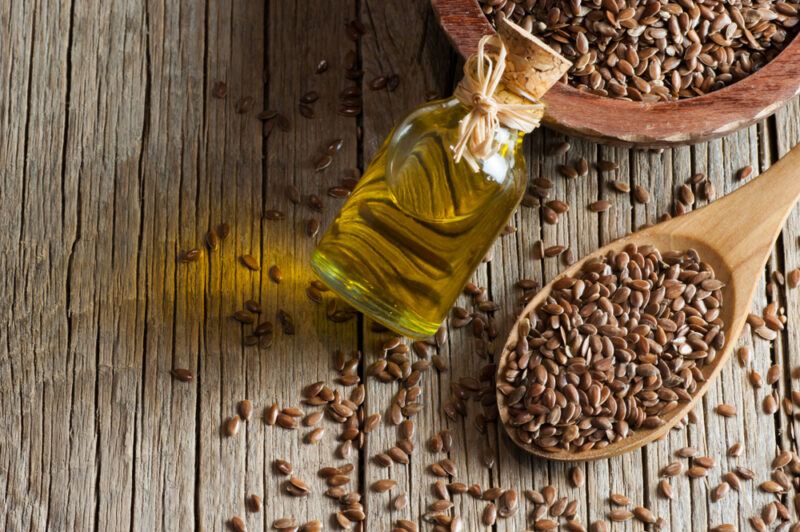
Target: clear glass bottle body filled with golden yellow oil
<point>418,224</point>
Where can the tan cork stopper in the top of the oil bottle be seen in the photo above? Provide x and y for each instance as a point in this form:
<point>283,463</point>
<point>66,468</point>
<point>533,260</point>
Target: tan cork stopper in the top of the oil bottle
<point>531,65</point>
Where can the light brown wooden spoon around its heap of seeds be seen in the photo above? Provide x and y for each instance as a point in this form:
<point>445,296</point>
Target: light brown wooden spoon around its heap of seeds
<point>735,235</point>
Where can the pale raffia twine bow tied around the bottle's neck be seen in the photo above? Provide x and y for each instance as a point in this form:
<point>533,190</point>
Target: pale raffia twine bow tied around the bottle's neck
<point>483,74</point>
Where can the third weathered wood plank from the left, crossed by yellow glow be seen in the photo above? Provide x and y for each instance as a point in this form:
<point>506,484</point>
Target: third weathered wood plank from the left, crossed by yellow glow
<point>170,295</point>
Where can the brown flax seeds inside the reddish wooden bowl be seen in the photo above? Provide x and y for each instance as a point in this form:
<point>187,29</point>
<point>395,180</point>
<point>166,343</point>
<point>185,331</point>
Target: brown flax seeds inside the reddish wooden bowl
<point>655,51</point>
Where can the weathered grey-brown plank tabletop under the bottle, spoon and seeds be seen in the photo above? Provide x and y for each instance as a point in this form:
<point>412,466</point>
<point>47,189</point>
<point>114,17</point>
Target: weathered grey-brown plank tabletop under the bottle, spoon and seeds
<point>116,158</point>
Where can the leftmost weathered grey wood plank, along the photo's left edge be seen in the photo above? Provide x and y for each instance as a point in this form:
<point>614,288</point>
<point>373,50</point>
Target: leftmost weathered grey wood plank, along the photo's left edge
<point>41,367</point>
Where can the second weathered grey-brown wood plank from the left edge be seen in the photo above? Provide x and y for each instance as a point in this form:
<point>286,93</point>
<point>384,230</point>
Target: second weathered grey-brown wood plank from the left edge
<point>104,151</point>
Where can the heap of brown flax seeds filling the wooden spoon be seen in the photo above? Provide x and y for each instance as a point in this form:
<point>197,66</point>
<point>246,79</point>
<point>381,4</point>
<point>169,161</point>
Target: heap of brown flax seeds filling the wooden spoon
<point>614,349</point>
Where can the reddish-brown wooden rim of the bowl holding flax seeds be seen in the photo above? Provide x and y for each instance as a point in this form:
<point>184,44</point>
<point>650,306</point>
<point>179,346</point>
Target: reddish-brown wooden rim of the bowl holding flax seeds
<point>656,125</point>
